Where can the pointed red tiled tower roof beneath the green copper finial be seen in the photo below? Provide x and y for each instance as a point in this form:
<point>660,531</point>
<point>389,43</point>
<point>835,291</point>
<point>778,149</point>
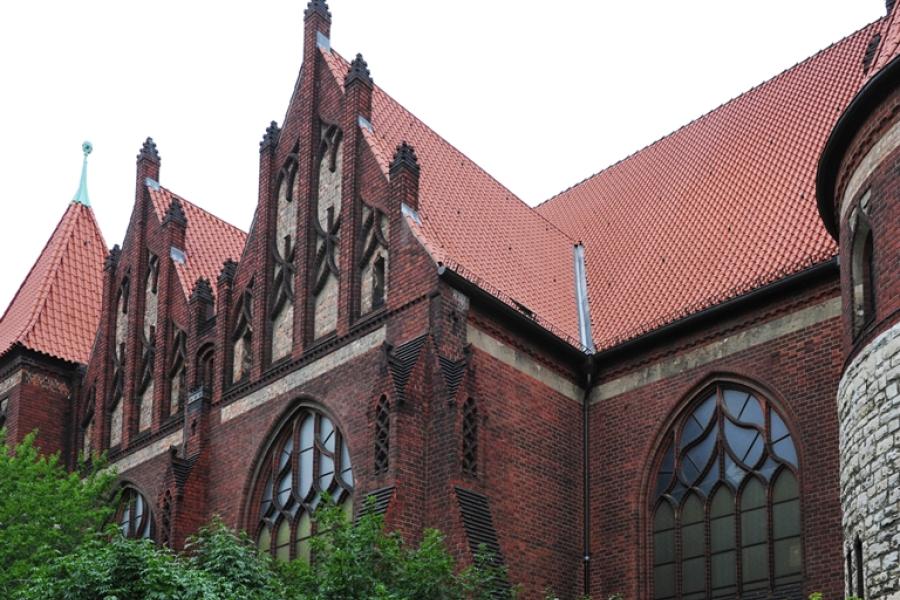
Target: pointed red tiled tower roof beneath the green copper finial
<point>56,310</point>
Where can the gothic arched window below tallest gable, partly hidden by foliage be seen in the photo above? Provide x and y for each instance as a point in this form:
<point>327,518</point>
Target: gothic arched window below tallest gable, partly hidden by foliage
<point>308,459</point>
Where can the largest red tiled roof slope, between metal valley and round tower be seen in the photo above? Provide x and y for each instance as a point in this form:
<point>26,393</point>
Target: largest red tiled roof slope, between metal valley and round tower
<point>722,206</point>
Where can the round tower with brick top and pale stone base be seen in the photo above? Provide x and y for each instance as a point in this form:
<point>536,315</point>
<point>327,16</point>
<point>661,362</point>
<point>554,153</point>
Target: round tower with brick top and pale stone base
<point>858,191</point>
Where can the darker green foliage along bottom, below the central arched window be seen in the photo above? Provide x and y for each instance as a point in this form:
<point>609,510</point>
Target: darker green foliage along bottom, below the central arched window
<point>352,561</point>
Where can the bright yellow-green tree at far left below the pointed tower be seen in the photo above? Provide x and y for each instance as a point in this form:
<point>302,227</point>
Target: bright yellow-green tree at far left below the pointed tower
<point>45,511</point>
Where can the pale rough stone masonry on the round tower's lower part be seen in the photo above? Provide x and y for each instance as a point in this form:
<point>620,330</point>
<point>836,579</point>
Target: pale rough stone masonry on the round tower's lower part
<point>869,413</point>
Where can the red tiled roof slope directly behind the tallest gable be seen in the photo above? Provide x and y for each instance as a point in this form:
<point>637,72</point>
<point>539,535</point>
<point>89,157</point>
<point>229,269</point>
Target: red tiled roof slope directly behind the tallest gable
<point>472,224</point>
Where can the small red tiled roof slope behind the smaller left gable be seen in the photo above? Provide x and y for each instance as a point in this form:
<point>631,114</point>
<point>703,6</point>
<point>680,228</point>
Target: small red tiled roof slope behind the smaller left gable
<point>209,240</point>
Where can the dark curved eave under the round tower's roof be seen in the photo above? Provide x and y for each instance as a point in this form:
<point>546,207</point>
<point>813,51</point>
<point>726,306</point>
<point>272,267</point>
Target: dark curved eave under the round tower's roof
<point>861,107</point>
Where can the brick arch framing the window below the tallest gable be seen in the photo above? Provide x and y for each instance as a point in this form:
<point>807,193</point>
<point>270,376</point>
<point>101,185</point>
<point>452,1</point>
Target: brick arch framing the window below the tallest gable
<point>254,482</point>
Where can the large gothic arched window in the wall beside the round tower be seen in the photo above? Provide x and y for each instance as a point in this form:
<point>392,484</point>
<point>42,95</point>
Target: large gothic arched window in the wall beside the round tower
<point>725,509</point>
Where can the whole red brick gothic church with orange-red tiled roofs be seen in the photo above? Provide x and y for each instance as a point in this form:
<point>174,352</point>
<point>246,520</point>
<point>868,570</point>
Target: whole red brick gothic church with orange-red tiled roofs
<point>676,379</point>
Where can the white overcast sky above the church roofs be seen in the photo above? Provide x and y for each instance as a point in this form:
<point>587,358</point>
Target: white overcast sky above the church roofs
<point>541,94</point>
